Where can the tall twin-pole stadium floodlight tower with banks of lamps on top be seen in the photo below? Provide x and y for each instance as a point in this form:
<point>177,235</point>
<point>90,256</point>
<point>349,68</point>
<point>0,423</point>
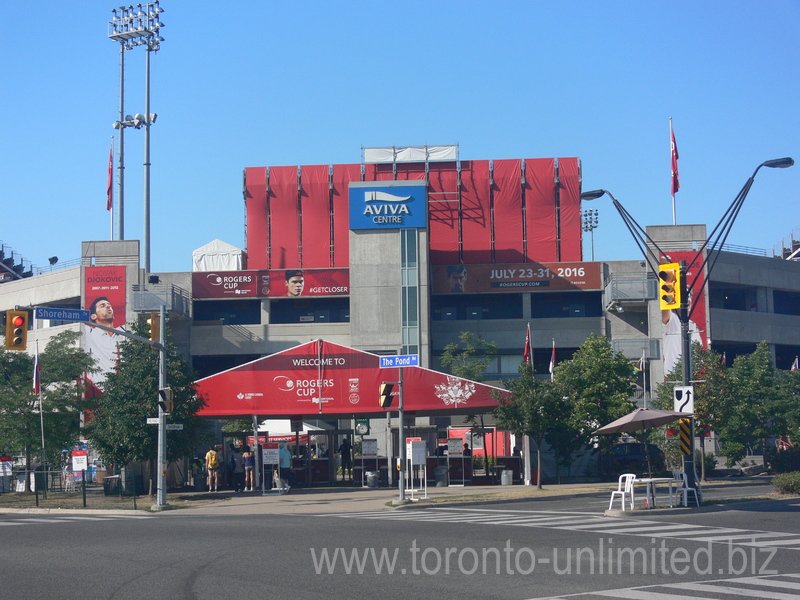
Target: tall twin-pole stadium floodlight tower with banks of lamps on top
<point>136,26</point>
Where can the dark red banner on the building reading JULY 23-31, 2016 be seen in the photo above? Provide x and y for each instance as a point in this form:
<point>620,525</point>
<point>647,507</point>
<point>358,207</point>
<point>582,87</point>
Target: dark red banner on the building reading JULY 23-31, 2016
<point>519,277</point>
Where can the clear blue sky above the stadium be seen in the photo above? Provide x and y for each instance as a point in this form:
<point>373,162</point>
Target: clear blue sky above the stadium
<point>254,83</point>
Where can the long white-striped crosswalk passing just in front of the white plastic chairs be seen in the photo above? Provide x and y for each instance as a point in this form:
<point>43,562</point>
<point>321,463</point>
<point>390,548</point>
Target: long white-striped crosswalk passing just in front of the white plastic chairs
<point>591,524</point>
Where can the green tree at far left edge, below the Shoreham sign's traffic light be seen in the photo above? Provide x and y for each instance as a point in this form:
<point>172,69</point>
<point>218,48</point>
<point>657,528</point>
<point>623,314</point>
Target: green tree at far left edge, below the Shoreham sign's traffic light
<point>61,367</point>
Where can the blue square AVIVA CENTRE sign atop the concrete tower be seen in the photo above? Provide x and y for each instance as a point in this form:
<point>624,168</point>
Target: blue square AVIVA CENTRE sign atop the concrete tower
<point>388,205</point>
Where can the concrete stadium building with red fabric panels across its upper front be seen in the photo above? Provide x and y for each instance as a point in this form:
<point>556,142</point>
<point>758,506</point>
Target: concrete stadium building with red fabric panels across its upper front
<point>399,254</point>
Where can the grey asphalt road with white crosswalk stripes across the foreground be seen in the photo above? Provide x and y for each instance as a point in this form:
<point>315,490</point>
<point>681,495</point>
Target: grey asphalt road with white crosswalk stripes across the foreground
<point>521,549</point>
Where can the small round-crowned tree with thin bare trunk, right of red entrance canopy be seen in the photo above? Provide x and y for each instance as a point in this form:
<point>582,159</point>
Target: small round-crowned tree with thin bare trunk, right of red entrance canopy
<point>534,408</point>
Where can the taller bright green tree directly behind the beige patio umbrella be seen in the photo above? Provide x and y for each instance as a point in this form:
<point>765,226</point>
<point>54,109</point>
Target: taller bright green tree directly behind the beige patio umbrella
<point>599,385</point>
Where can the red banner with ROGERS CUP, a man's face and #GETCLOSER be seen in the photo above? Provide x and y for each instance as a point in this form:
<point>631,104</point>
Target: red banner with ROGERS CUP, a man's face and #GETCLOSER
<point>260,284</point>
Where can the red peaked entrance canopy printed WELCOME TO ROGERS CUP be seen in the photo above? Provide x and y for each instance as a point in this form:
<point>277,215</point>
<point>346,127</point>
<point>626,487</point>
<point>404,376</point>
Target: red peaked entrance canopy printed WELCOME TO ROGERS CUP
<point>320,379</point>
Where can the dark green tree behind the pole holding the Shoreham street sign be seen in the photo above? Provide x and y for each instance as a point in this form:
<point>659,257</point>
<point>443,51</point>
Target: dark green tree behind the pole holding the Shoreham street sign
<point>119,430</point>
